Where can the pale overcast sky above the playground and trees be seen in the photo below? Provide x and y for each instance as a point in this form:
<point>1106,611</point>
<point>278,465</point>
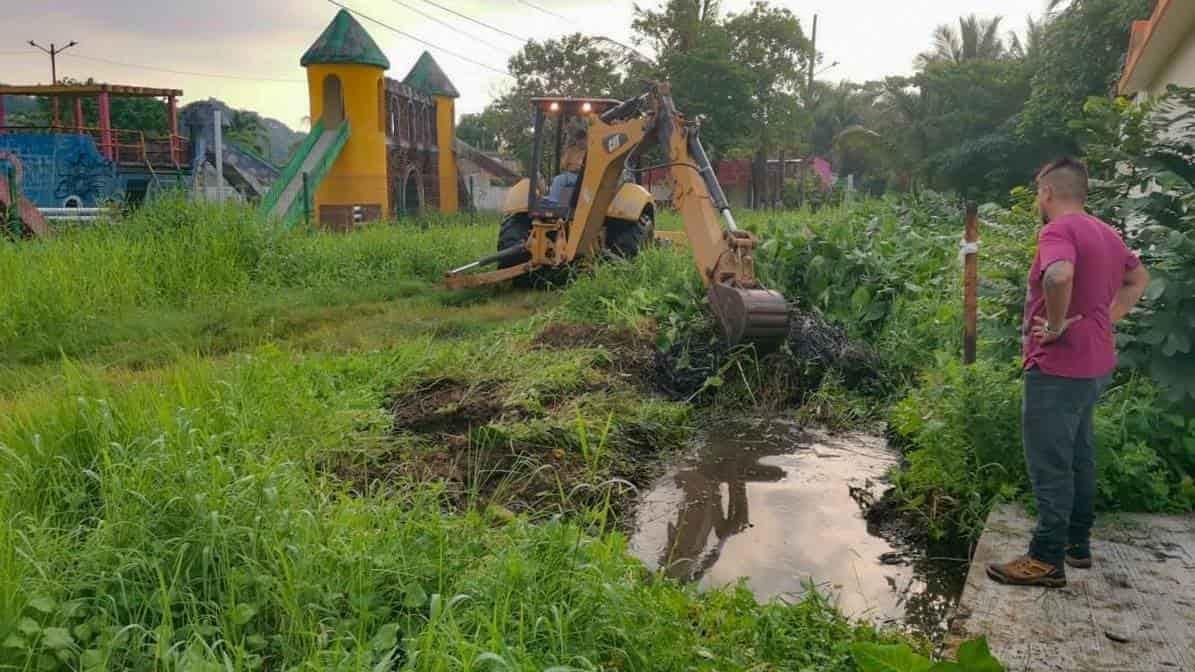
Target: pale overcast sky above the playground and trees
<point>261,41</point>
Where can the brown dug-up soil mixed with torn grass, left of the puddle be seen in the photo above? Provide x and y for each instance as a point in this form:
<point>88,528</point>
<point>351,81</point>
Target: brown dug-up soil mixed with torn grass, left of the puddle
<point>475,442</point>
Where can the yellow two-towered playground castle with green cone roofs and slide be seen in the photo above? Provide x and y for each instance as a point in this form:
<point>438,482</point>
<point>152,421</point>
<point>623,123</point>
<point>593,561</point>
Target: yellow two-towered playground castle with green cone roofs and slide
<point>378,148</point>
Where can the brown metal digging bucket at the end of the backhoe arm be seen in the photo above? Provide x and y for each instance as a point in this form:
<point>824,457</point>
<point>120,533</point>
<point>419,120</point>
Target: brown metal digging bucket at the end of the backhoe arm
<point>758,317</point>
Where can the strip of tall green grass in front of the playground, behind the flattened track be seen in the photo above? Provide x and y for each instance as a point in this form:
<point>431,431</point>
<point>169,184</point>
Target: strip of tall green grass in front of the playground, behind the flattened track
<point>181,254</point>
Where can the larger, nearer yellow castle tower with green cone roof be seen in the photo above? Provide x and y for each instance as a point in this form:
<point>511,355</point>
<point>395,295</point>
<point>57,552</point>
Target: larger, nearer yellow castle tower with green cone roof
<point>347,81</point>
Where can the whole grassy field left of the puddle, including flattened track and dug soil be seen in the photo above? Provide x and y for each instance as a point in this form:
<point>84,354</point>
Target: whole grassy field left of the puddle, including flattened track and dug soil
<point>224,447</point>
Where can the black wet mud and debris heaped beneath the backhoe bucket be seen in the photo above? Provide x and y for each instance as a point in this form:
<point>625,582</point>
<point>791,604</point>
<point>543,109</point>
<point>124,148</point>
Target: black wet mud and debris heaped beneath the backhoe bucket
<point>812,349</point>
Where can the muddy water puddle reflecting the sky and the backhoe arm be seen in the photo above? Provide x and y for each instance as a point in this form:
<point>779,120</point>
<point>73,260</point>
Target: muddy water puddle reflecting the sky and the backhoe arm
<point>780,506</point>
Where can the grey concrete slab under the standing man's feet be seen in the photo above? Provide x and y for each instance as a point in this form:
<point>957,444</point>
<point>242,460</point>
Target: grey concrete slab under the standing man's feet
<point>1135,612</point>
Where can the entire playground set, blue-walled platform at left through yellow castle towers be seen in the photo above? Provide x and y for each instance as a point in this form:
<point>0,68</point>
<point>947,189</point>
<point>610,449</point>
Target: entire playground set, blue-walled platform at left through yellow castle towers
<point>378,148</point>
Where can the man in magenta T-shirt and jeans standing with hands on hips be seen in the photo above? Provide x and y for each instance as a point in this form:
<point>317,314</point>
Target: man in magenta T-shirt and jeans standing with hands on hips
<point>1083,282</point>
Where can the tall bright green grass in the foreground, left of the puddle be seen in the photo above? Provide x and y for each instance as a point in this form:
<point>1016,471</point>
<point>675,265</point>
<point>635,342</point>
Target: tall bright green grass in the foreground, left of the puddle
<point>186,524</point>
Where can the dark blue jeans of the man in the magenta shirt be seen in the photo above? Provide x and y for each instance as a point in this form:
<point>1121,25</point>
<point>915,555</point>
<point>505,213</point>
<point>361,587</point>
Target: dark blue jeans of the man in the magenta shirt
<point>1061,453</point>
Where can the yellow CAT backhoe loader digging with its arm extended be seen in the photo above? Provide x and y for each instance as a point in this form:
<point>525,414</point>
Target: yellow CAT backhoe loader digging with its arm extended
<point>598,210</point>
